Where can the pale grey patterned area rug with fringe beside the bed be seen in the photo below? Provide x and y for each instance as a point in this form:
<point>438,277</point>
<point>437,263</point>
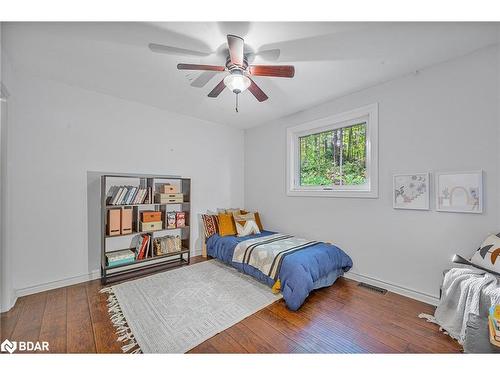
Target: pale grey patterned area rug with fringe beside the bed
<point>174,311</point>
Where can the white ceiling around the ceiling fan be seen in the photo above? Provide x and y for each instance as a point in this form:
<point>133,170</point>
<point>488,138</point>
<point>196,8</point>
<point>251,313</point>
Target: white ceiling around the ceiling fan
<point>331,60</point>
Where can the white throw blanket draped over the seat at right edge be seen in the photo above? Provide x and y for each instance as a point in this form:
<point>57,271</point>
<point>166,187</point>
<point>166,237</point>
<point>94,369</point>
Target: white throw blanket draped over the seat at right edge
<point>464,291</point>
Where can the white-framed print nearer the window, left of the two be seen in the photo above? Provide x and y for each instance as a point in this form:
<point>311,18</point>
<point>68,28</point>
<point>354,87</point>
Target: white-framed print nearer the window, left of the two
<point>411,191</point>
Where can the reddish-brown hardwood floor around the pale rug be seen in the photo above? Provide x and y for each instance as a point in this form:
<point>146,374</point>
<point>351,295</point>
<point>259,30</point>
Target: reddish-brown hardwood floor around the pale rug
<point>343,318</point>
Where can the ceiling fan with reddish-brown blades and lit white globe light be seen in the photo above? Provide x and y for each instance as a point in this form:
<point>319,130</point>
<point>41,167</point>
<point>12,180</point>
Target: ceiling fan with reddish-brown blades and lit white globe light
<point>240,72</point>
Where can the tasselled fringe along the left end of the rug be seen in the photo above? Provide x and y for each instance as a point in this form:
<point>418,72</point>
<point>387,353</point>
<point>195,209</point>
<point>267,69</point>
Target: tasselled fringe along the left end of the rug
<point>123,331</point>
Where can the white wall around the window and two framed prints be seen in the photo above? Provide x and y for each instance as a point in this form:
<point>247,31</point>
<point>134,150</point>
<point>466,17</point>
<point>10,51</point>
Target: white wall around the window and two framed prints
<point>445,118</point>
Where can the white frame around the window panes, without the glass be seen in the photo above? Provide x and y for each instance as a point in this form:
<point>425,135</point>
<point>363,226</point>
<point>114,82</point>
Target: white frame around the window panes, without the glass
<point>367,113</point>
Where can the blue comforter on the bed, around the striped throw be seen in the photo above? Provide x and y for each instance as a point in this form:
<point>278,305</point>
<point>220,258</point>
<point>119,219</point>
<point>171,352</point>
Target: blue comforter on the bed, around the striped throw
<point>301,272</point>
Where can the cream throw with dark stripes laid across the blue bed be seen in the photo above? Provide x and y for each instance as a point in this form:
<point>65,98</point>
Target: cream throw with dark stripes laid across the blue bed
<point>267,253</point>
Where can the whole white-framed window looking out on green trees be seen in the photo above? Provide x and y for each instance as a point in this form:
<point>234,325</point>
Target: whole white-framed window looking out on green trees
<point>336,156</point>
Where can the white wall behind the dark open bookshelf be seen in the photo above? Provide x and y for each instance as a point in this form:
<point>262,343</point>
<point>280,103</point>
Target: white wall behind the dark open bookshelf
<point>59,135</point>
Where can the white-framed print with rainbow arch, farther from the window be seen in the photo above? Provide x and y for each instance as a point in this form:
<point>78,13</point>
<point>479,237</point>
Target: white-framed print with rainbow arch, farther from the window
<point>459,191</point>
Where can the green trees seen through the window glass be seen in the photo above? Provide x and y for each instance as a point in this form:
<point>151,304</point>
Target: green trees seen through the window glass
<point>334,157</point>
